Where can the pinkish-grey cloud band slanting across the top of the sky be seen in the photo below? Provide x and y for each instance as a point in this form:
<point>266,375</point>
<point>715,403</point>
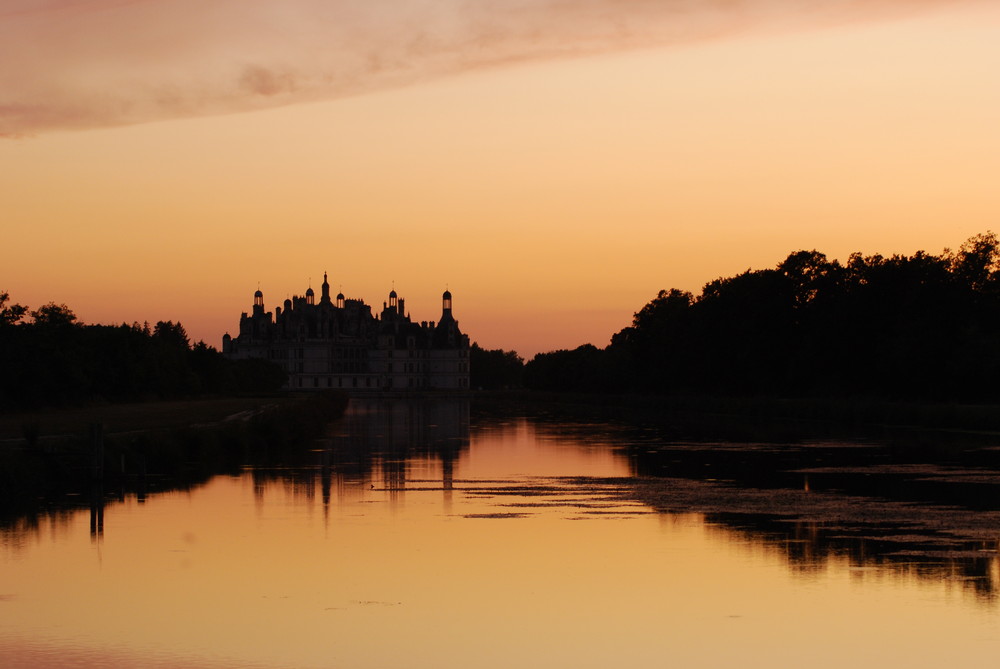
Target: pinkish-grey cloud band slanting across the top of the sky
<point>77,64</point>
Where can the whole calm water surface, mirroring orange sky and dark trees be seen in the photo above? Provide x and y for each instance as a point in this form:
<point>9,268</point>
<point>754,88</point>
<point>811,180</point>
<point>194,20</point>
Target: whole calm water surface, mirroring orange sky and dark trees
<point>421,538</point>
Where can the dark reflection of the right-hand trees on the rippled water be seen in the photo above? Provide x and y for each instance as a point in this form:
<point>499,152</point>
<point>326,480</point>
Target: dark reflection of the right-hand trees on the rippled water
<point>921,504</point>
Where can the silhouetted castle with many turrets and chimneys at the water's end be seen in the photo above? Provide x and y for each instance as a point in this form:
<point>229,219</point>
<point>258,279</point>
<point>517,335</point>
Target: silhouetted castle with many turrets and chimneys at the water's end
<point>340,344</point>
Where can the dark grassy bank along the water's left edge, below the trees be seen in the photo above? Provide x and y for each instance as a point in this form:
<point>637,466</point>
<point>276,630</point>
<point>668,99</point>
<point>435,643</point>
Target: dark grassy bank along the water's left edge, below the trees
<point>45,481</point>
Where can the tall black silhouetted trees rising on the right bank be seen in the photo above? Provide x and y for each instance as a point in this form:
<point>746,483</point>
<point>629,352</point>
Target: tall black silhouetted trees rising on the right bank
<point>899,327</point>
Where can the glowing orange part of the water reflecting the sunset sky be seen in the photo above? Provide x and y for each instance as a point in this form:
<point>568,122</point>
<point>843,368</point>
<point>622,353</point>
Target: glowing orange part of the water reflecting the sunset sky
<point>494,554</point>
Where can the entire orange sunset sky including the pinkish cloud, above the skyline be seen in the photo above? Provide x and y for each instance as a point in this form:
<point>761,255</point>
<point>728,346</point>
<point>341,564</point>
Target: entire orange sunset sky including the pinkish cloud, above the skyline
<point>554,164</point>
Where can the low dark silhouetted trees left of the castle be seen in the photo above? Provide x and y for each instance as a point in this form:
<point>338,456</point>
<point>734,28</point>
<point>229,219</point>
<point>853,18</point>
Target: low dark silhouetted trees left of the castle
<point>53,360</point>
